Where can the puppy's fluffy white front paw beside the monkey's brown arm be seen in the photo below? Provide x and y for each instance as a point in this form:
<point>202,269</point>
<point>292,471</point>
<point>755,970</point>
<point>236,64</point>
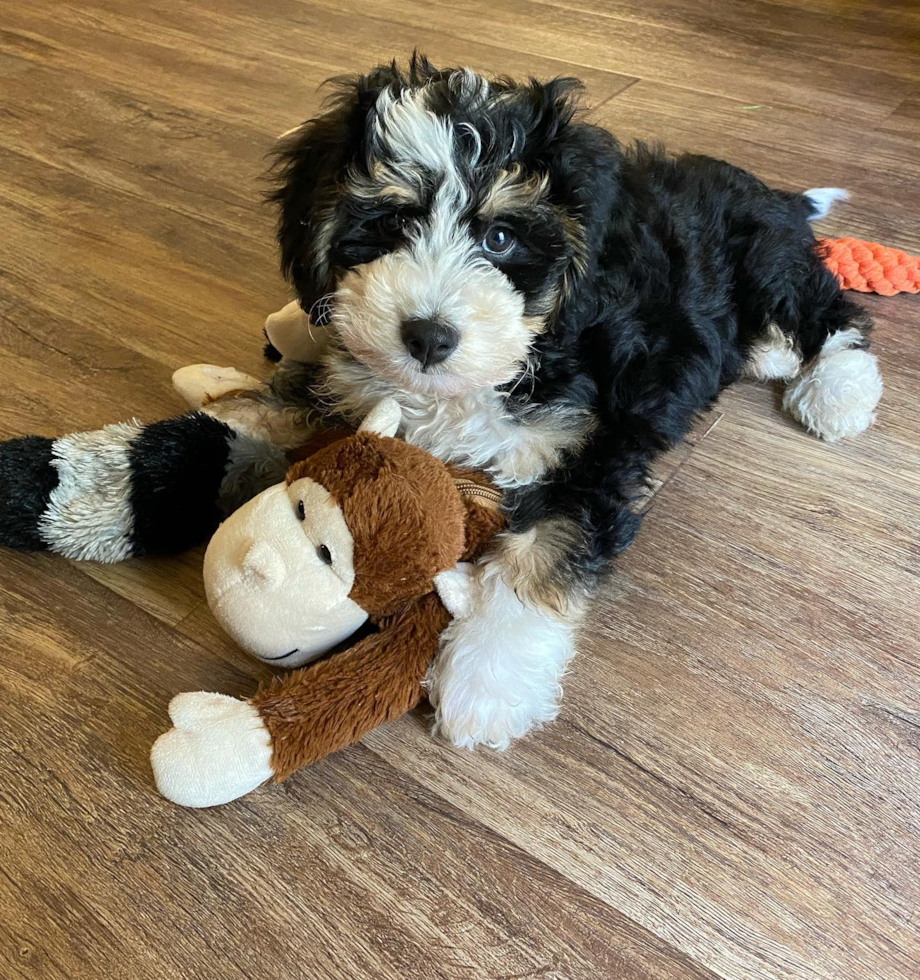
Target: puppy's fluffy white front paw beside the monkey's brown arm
<point>499,669</point>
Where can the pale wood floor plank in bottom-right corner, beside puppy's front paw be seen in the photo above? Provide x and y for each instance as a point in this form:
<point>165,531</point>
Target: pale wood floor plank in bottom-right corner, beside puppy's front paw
<point>739,743</point>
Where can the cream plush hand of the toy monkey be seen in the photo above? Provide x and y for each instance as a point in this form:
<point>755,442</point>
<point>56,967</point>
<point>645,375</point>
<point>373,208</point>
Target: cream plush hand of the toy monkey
<point>218,751</point>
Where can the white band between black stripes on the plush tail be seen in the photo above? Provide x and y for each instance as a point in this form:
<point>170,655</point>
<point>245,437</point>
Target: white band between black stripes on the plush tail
<point>89,515</point>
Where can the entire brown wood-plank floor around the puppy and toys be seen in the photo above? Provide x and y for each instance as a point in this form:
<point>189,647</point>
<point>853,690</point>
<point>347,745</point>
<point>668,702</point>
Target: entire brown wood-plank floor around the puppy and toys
<point>733,788</point>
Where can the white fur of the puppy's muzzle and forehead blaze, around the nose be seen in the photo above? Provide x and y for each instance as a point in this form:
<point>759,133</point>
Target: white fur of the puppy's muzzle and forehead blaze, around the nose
<point>439,272</point>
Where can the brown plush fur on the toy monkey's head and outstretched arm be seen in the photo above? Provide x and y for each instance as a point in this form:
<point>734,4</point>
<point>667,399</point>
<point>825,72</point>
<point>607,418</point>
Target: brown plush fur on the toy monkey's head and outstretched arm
<point>328,705</point>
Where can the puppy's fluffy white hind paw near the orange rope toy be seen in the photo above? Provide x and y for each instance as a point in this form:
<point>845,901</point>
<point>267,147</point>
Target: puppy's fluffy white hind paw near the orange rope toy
<point>837,394</point>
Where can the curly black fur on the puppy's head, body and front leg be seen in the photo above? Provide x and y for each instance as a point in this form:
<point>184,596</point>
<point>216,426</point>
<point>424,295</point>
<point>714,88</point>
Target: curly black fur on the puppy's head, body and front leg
<point>667,269</point>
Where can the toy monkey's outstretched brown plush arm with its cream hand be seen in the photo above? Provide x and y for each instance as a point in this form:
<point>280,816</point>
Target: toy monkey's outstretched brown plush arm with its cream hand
<point>222,748</point>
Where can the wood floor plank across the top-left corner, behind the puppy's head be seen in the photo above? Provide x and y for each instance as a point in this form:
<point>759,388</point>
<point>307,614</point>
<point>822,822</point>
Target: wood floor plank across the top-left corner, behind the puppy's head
<point>136,49</point>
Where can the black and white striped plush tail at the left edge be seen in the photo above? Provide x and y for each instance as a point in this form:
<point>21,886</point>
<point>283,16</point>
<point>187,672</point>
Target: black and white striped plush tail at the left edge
<point>129,489</point>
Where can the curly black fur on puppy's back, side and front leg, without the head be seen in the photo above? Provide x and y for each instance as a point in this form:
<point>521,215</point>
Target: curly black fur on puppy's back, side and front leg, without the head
<point>695,258</point>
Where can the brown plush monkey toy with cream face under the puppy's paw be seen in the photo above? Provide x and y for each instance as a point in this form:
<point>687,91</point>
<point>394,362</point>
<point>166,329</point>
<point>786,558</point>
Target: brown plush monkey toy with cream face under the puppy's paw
<point>368,529</point>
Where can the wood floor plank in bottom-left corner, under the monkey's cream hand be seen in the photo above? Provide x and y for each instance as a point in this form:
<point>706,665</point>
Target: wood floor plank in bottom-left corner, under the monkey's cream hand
<point>338,875</point>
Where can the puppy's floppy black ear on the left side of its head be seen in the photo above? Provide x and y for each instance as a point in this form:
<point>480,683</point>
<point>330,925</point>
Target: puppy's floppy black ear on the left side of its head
<point>309,161</point>
